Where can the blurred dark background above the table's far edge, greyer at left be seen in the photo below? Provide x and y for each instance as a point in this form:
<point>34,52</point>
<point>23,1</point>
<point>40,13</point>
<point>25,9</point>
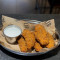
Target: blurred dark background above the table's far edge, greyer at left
<point>34,7</point>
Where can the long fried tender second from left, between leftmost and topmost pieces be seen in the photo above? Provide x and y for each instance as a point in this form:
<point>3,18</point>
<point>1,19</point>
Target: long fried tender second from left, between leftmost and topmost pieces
<point>29,38</point>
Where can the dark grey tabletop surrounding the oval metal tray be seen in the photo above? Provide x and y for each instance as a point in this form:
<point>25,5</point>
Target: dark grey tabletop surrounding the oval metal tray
<point>53,55</point>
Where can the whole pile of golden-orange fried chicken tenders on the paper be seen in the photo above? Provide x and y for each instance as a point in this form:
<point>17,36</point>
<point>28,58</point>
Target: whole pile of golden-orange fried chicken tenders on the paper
<point>37,39</point>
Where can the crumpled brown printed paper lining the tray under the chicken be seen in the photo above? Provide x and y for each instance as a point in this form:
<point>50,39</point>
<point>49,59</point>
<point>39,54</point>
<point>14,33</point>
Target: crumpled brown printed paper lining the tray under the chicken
<point>49,26</point>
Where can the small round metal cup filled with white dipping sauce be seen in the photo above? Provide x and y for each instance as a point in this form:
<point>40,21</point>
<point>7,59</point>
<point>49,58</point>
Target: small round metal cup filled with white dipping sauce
<point>11,33</point>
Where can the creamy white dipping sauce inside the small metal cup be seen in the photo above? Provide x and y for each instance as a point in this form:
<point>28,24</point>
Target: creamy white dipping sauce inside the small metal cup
<point>12,31</point>
